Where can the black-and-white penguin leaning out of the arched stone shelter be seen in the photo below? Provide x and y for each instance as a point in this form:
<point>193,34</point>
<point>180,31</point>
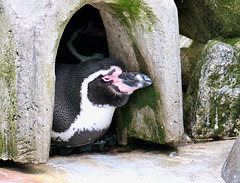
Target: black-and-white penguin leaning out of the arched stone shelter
<point>86,96</point>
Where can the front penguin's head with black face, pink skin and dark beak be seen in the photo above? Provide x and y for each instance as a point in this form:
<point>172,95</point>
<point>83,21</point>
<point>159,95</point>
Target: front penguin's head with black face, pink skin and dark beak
<point>116,85</point>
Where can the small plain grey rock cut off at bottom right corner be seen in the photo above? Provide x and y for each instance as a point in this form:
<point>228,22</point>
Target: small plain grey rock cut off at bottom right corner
<point>231,167</point>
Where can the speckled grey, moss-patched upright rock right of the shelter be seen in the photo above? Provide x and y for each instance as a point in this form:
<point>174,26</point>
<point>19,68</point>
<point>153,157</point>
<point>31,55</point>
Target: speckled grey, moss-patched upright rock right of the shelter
<point>212,102</point>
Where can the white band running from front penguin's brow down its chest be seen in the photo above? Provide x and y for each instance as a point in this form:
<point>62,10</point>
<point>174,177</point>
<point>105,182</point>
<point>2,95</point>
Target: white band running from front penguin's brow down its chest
<point>91,117</point>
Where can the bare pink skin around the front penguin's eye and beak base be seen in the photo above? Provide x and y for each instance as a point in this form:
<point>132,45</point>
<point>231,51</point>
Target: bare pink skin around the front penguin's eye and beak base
<point>117,81</point>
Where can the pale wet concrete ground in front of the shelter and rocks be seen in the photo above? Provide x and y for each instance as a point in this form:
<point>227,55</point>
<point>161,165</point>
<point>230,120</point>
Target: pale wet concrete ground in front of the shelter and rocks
<point>193,163</point>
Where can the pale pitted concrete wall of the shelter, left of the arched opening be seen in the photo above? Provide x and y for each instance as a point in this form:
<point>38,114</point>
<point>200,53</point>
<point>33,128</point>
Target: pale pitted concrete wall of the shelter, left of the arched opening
<point>27,80</point>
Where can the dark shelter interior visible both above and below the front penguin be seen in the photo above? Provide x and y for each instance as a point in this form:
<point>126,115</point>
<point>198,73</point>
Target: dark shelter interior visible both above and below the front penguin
<point>84,38</point>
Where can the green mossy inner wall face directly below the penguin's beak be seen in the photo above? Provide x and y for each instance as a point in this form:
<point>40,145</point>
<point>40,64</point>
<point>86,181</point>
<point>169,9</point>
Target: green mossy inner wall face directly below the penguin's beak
<point>139,118</point>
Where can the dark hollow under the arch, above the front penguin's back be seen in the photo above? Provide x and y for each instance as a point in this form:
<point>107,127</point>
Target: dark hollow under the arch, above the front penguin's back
<point>84,37</point>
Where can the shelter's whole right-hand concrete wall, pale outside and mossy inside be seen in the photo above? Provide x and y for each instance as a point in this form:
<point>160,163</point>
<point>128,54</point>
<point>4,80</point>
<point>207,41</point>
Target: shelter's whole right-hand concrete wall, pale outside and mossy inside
<point>149,44</point>
